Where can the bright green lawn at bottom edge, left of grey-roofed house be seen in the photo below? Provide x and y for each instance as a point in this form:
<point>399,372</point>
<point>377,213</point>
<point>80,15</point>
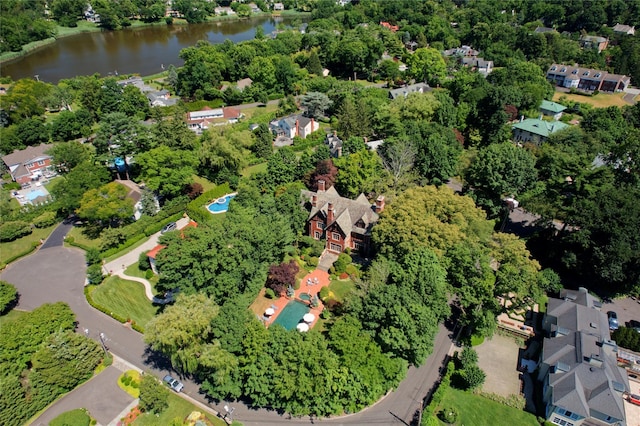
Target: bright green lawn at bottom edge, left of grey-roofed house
<point>475,410</point>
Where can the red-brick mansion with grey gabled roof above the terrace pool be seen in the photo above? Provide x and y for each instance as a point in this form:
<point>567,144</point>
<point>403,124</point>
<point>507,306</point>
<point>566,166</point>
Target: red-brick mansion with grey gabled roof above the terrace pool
<point>340,221</point>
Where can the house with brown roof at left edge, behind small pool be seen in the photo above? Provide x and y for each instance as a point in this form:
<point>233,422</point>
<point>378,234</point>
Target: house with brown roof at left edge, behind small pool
<point>29,164</point>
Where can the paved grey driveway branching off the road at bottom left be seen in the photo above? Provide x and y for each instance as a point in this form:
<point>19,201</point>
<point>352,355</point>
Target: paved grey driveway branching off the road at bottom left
<point>100,395</point>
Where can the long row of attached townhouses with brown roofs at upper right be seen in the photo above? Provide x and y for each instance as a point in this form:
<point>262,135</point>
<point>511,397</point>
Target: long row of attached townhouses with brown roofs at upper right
<point>586,78</point>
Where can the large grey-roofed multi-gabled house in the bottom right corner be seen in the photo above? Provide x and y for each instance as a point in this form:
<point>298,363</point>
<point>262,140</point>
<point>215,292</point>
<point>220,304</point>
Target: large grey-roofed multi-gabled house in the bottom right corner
<point>582,383</point>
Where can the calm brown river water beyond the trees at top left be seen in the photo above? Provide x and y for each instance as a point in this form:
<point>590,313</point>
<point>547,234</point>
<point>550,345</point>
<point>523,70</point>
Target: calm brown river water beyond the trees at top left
<point>133,50</point>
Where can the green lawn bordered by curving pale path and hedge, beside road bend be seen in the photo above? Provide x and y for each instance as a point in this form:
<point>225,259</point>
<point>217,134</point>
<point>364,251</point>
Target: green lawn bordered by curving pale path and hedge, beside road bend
<point>125,298</point>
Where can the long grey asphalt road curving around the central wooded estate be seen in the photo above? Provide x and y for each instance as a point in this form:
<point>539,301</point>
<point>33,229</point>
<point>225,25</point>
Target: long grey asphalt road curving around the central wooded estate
<point>56,273</point>
